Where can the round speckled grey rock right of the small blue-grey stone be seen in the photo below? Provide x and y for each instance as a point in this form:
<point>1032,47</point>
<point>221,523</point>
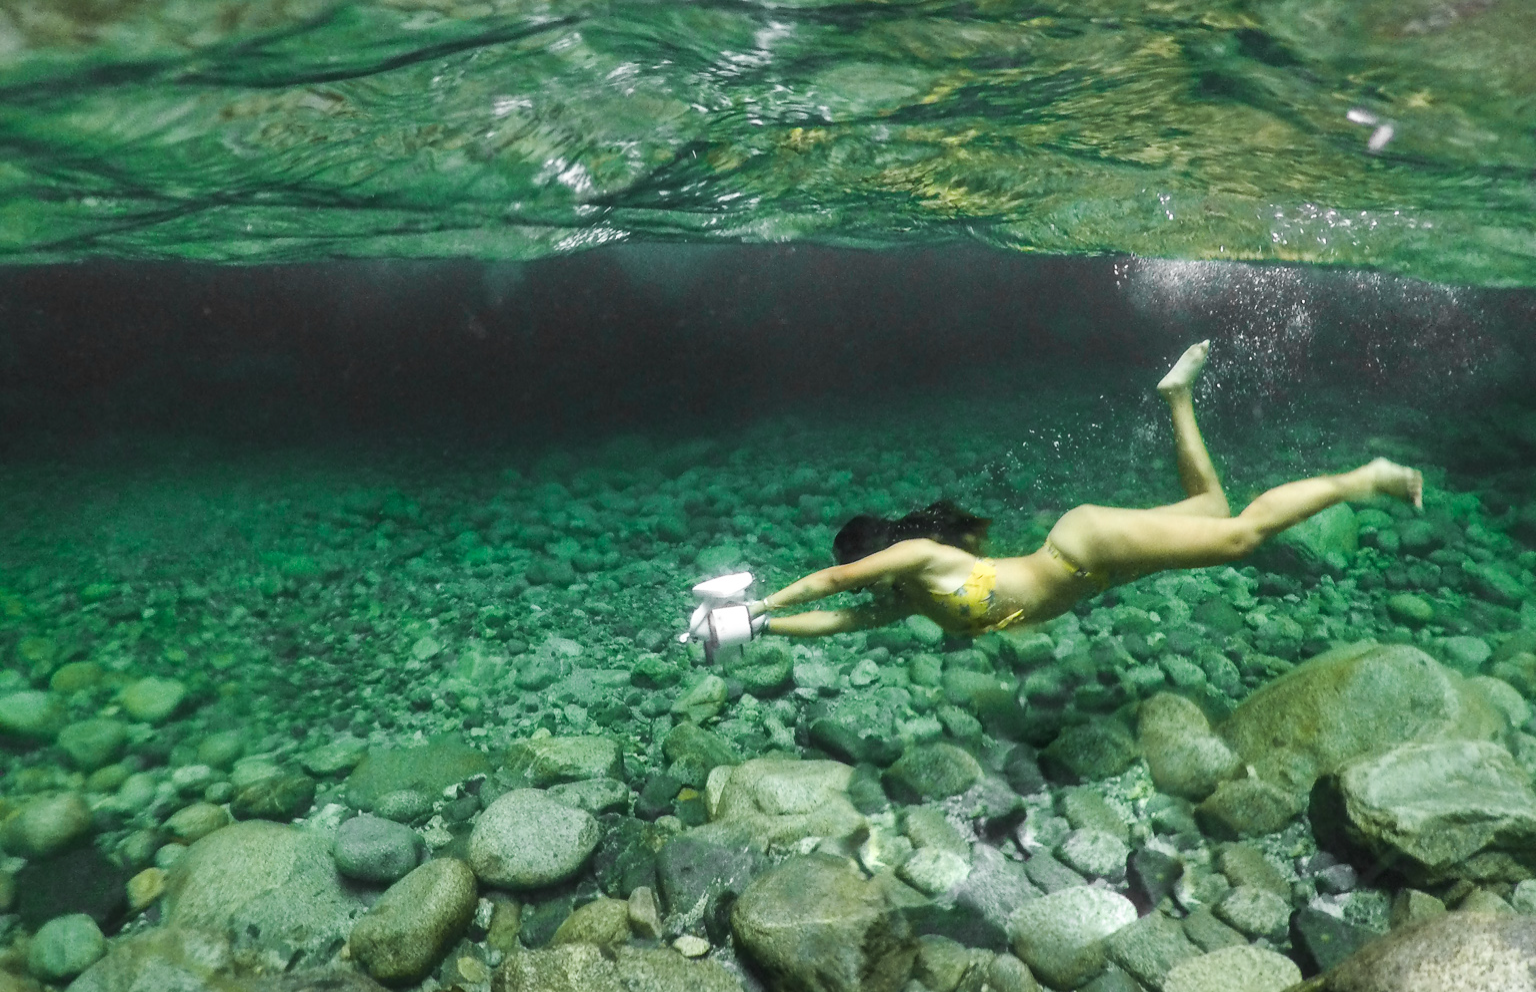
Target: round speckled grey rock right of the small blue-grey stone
<point>528,841</point>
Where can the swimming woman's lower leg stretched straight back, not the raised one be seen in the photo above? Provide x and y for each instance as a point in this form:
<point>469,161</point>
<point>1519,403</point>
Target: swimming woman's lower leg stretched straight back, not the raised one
<point>1136,543</point>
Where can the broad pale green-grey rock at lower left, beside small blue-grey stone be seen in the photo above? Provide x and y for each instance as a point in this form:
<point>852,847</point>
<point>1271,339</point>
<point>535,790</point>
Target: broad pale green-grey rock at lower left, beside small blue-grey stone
<point>265,879</point>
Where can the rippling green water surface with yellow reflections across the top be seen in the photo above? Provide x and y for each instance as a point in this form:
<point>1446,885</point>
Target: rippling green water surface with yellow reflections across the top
<point>512,130</point>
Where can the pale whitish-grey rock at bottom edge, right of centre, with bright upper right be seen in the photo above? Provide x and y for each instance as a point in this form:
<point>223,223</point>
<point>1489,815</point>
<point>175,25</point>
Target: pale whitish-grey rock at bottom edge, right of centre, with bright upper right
<point>1062,936</point>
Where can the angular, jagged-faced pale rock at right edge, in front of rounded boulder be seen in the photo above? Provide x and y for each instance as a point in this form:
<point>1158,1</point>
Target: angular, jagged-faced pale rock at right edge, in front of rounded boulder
<point>1443,810</point>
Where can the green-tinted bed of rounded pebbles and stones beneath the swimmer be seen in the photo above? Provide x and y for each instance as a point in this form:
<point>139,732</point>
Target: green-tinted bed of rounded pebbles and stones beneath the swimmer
<point>439,704</point>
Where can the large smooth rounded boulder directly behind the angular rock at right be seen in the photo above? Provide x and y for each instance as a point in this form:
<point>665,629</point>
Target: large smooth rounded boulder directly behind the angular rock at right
<point>1348,703</point>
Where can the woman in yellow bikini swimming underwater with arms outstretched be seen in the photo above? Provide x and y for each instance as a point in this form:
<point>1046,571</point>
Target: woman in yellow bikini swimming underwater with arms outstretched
<point>929,560</point>
